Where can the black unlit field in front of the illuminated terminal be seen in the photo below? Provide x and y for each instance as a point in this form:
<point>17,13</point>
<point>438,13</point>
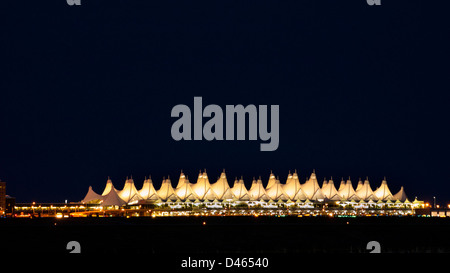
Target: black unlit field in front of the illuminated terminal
<point>226,235</point>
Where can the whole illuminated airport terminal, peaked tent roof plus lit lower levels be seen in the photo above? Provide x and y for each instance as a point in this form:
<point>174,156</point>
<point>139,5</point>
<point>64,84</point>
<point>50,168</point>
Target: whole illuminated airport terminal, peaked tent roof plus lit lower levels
<point>291,197</point>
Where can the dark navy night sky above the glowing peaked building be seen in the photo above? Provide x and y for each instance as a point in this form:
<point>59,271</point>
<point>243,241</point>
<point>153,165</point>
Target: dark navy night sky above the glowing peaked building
<point>86,92</point>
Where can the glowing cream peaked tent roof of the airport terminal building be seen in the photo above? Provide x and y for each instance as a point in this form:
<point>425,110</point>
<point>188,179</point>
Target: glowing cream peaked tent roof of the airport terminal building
<point>274,195</point>
